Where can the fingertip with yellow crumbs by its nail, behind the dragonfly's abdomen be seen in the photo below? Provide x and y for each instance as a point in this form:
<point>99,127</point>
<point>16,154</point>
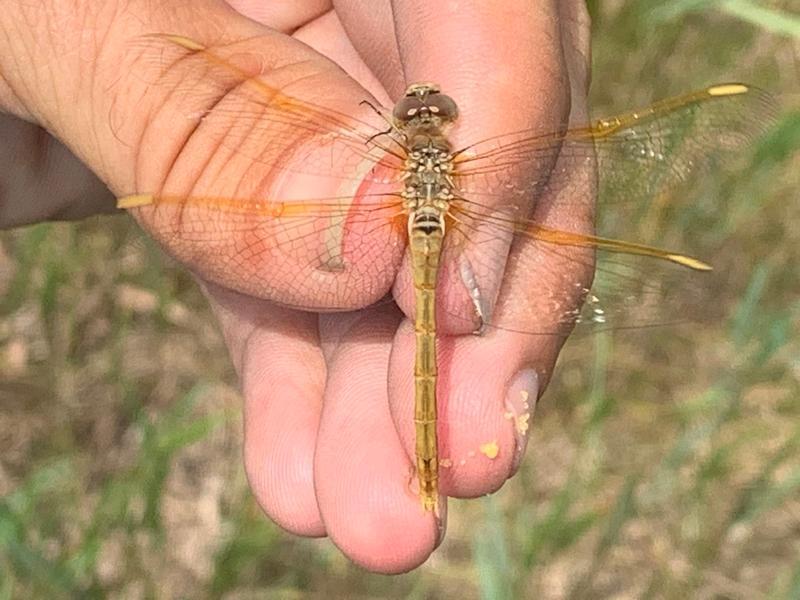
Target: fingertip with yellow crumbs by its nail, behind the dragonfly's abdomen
<point>486,394</point>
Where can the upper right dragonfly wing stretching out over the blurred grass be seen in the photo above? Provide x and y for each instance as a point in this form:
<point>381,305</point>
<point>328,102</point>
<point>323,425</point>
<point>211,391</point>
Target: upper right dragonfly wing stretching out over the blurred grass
<point>637,155</point>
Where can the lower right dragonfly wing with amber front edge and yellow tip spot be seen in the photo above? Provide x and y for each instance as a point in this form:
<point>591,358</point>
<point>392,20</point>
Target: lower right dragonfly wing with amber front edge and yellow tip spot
<point>551,281</point>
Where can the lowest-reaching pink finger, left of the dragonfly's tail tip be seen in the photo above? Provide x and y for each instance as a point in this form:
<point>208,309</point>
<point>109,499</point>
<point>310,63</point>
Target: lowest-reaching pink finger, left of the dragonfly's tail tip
<point>363,477</point>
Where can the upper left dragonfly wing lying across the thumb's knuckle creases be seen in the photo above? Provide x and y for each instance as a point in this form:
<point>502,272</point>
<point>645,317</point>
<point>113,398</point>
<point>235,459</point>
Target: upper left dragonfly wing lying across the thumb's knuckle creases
<point>226,97</point>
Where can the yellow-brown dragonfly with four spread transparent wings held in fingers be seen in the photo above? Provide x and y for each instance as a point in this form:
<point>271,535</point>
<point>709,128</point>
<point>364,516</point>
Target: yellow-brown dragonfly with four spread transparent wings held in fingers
<point>438,228</point>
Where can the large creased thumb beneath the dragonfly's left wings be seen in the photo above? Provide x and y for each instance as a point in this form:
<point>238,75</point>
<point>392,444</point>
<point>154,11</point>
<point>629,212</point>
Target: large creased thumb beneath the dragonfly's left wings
<point>189,120</point>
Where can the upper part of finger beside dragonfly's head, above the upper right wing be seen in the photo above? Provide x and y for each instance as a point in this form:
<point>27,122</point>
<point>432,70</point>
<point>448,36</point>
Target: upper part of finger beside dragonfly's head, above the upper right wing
<point>502,61</point>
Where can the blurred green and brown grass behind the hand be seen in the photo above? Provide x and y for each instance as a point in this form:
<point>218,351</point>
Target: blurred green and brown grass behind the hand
<point>662,464</point>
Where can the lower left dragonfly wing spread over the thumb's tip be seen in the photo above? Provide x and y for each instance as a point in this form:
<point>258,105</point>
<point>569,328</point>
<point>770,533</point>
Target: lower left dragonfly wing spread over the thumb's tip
<point>325,255</point>
